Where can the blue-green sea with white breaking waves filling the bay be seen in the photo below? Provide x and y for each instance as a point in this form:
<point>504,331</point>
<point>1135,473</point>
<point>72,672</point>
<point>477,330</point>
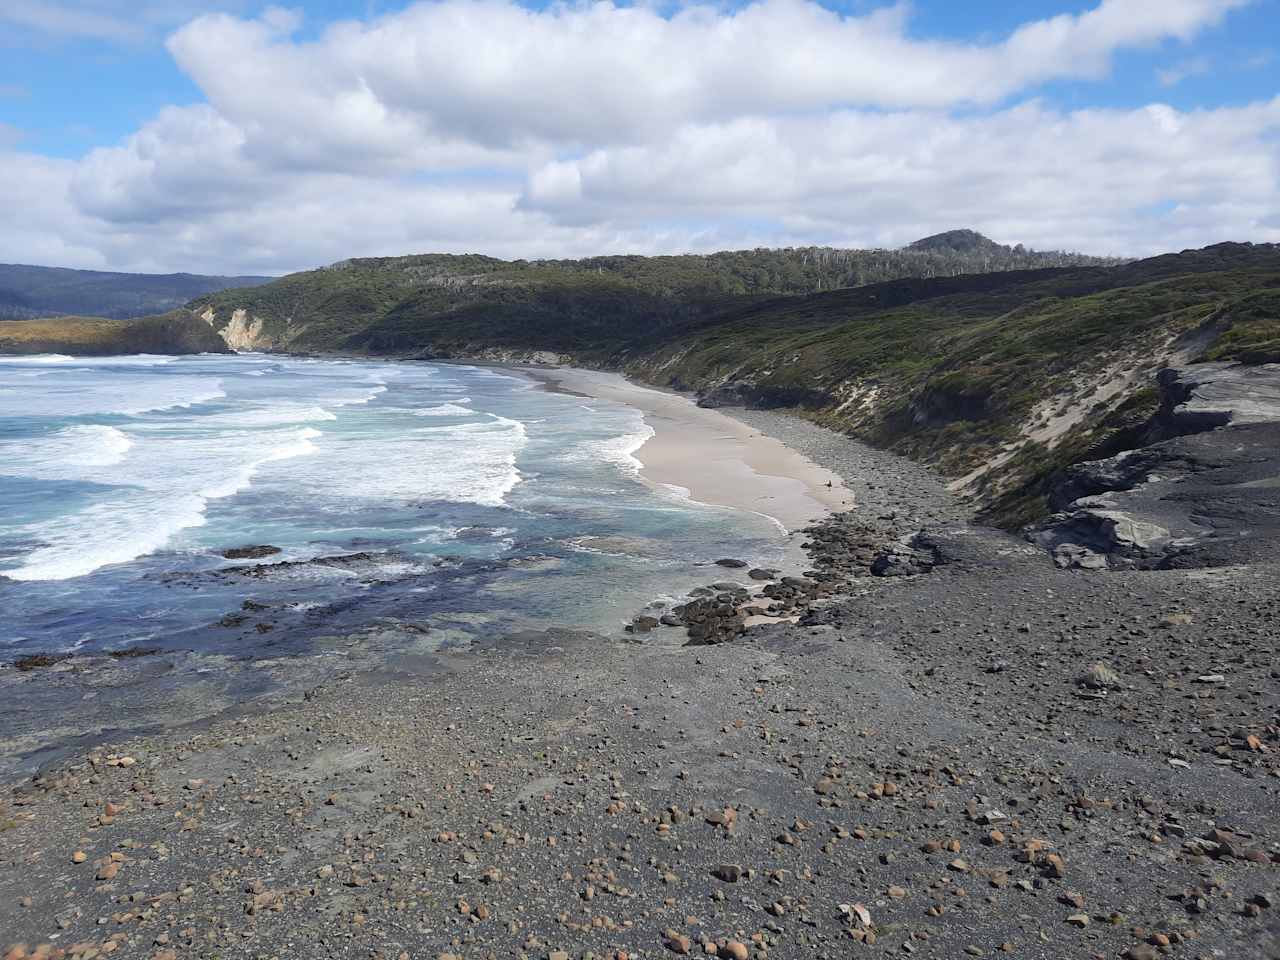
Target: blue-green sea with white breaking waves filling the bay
<point>467,500</point>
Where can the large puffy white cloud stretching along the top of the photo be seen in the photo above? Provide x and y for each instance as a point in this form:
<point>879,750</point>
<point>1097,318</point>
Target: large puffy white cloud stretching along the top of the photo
<point>495,74</point>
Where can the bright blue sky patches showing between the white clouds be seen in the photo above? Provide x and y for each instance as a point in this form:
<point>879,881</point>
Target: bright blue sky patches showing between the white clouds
<point>67,95</point>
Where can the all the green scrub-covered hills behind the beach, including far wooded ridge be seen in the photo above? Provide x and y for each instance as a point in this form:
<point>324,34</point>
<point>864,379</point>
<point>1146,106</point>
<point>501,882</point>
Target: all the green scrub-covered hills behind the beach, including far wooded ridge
<point>1000,378</point>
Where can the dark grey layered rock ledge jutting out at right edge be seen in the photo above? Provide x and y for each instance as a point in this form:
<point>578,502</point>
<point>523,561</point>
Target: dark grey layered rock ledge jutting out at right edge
<point>1206,491</point>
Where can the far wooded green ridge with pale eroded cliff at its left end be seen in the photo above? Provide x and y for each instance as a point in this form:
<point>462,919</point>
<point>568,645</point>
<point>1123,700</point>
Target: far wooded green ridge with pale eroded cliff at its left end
<point>447,303</point>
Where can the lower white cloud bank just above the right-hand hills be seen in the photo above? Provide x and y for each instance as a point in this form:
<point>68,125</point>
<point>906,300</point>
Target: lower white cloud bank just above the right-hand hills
<point>1028,173</point>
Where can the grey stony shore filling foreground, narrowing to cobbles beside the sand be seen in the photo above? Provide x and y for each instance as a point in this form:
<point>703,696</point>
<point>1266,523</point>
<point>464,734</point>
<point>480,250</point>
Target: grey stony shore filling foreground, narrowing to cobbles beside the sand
<point>957,751</point>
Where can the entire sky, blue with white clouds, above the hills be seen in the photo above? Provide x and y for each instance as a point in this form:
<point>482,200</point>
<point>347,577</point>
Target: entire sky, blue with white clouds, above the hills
<point>237,138</point>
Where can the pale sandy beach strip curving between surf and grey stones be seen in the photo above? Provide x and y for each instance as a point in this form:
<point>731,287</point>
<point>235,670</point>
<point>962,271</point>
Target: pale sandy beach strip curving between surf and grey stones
<point>712,458</point>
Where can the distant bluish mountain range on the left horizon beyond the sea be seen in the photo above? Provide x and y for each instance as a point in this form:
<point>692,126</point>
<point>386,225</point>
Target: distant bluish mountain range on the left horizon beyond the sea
<point>29,292</point>
